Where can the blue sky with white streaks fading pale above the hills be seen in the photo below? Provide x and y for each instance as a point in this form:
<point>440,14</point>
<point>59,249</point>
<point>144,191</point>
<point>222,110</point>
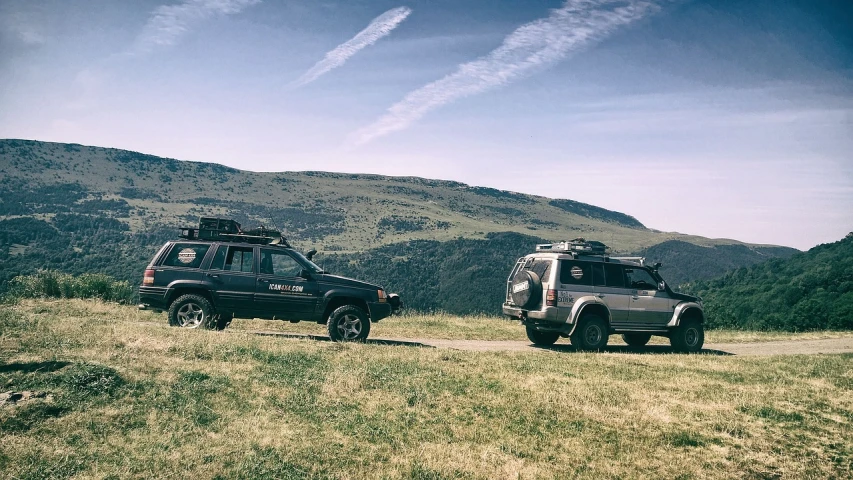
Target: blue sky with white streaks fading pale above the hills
<point>725,119</point>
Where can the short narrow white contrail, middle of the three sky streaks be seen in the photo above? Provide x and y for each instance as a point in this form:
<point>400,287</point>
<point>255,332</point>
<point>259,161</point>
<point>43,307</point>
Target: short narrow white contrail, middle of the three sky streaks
<point>378,28</point>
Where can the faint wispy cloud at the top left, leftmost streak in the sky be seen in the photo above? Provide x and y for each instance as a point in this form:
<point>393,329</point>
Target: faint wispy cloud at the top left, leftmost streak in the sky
<point>169,22</point>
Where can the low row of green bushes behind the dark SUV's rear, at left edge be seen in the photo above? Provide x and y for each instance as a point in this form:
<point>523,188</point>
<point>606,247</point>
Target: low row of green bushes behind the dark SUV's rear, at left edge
<point>51,284</point>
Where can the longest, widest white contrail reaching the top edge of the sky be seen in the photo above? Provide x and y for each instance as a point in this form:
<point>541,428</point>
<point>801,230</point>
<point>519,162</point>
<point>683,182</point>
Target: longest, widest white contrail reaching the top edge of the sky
<point>530,48</point>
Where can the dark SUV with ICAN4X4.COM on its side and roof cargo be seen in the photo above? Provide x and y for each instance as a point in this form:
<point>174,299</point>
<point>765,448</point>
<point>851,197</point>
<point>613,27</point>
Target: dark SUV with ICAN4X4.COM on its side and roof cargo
<point>206,283</point>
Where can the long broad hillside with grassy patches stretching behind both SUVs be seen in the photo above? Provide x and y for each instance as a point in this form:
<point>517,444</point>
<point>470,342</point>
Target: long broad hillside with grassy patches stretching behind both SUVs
<point>441,244</point>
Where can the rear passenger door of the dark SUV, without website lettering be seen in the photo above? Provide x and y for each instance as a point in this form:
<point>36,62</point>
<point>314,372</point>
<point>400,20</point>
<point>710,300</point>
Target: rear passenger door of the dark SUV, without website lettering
<point>232,276</point>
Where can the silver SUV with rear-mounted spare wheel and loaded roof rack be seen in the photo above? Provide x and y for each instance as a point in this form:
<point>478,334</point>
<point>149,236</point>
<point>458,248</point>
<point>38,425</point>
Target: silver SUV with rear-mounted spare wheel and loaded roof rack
<point>574,289</point>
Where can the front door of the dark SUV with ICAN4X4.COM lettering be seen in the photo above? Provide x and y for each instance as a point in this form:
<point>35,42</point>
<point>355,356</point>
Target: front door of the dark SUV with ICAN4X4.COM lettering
<point>282,290</point>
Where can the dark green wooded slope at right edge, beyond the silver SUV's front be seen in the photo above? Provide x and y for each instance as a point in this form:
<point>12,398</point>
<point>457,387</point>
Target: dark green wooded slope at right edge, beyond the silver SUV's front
<point>809,291</point>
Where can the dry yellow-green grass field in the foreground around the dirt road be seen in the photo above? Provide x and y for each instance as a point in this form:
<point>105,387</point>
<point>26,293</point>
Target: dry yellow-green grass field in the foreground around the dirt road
<point>129,397</point>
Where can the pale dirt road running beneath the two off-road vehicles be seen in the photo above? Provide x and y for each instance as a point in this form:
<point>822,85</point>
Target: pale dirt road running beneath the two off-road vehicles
<point>795,347</point>
